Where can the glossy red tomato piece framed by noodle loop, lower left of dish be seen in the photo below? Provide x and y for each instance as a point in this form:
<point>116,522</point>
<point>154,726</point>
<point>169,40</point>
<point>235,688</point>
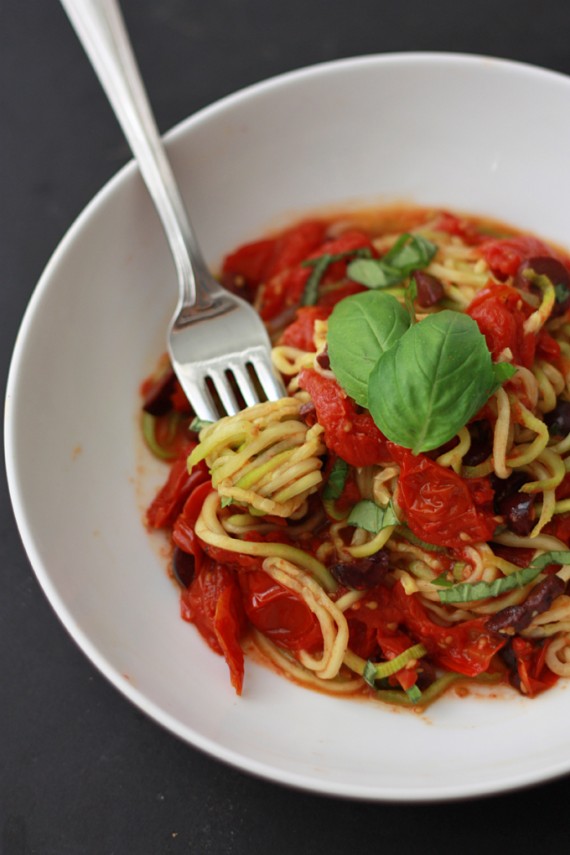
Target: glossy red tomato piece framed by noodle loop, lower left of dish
<point>279,613</point>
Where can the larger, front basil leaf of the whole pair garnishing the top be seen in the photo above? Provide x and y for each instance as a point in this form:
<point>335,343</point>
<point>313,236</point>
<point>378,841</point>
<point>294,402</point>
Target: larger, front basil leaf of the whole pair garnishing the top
<point>431,382</point>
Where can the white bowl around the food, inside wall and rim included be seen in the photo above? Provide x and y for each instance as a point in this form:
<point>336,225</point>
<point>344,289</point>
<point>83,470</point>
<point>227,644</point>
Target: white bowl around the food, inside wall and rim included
<point>468,133</point>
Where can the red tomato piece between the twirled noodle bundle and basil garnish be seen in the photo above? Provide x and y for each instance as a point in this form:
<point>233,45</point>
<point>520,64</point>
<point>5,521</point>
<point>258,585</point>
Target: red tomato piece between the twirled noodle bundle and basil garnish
<point>351,434</point>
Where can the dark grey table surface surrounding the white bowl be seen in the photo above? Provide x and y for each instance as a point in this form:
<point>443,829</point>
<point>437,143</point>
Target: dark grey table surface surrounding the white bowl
<point>81,770</point>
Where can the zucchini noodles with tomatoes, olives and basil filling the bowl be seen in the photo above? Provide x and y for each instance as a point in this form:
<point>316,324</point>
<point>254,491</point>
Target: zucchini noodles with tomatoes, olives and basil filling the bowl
<point>399,524</point>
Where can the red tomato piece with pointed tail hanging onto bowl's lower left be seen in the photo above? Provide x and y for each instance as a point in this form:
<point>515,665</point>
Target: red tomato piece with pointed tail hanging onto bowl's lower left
<point>213,604</point>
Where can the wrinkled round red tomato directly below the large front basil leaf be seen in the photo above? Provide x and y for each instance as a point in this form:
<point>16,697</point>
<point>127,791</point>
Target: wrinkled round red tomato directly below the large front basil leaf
<point>437,503</point>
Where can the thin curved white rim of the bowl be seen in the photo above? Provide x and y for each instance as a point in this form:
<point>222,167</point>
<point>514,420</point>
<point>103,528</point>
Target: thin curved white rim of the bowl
<point>113,185</point>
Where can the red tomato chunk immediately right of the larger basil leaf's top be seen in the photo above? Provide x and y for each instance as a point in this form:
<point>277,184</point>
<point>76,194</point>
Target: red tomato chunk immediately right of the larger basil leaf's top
<point>500,313</point>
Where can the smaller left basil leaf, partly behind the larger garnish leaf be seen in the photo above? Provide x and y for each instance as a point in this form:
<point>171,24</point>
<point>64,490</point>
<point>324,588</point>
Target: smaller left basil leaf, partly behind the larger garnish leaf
<point>360,329</point>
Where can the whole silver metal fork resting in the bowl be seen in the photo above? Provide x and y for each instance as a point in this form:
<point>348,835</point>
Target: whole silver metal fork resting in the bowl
<point>218,346</point>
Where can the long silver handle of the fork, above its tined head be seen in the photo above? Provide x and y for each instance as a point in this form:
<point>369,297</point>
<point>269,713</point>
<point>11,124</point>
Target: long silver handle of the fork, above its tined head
<point>100,28</point>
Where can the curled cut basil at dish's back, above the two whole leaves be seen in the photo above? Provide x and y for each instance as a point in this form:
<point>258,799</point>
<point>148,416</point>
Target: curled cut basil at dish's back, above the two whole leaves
<point>410,252</point>
